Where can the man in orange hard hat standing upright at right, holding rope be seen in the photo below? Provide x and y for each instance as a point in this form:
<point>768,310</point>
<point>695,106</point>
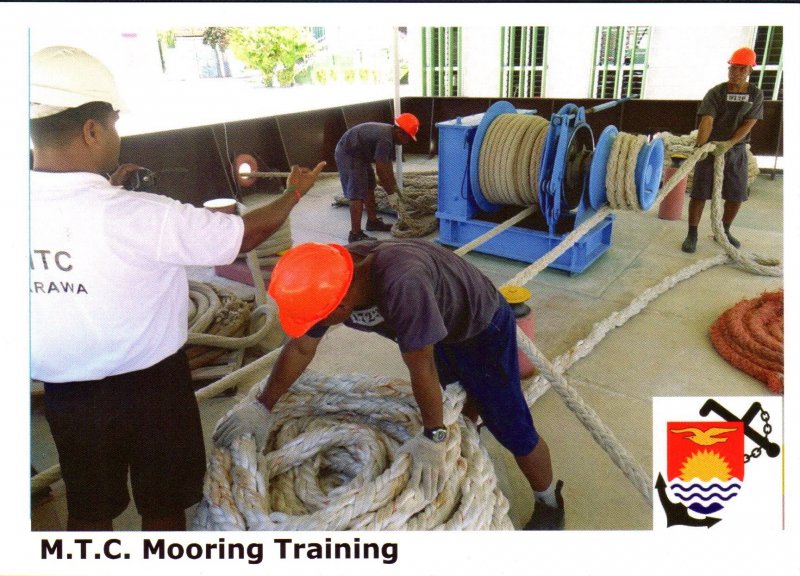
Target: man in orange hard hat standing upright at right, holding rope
<point>727,114</point>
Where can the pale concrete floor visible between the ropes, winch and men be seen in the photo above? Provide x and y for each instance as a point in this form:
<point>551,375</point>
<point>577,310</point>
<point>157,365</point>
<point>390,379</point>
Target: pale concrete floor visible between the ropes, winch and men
<point>663,351</point>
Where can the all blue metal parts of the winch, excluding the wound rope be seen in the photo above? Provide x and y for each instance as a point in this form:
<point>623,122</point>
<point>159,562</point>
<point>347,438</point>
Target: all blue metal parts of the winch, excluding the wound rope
<point>461,198</point>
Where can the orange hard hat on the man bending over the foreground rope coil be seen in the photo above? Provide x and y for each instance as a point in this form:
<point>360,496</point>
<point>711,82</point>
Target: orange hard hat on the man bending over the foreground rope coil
<point>308,283</point>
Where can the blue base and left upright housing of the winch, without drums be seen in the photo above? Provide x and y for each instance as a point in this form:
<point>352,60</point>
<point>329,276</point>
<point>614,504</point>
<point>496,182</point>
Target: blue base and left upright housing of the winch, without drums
<point>461,219</point>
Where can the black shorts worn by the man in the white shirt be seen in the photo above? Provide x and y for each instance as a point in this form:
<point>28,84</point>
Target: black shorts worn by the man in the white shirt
<point>147,420</point>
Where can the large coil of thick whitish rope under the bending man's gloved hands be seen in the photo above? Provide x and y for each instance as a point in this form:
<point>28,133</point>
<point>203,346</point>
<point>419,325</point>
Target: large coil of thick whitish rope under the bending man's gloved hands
<point>332,464</point>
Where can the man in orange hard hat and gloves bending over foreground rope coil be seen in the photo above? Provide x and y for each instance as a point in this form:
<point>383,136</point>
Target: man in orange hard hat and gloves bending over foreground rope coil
<point>450,323</point>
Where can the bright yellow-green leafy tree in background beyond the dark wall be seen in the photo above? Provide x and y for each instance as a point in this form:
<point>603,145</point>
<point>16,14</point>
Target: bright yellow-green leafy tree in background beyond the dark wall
<point>278,52</point>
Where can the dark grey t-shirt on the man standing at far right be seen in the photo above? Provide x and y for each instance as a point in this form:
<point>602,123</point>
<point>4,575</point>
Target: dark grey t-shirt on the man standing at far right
<point>730,109</point>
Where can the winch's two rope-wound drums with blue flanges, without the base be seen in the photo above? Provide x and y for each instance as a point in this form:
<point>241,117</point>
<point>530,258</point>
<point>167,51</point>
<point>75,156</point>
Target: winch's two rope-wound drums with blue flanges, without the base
<point>524,160</point>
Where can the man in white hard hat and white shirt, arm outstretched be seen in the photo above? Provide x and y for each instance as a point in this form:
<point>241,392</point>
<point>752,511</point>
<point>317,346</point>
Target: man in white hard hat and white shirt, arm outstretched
<point>109,301</point>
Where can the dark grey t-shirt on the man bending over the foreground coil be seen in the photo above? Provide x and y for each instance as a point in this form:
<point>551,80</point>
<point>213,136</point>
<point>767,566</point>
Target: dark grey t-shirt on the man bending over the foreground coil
<point>425,293</point>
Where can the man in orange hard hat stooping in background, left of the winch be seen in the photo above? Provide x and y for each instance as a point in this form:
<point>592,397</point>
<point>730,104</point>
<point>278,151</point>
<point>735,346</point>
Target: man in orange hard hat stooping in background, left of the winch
<point>357,150</point>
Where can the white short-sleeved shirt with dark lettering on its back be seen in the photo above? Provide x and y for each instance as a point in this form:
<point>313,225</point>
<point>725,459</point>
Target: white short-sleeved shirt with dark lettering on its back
<point>108,288</point>
